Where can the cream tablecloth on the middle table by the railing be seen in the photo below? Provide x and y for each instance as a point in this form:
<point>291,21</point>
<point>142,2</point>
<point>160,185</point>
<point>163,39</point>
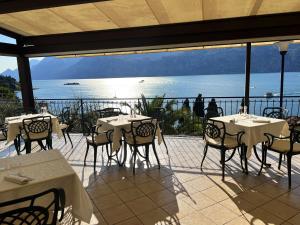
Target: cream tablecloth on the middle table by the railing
<point>117,123</point>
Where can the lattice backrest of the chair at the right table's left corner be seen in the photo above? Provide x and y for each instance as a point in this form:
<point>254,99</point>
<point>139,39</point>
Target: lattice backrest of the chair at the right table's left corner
<point>214,130</point>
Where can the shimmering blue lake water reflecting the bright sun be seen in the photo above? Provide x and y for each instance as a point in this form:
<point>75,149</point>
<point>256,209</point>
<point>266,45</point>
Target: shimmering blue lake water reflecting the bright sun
<point>173,86</point>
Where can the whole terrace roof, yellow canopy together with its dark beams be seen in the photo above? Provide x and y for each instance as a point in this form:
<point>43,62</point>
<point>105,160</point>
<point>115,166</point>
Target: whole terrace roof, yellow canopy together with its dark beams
<point>62,27</point>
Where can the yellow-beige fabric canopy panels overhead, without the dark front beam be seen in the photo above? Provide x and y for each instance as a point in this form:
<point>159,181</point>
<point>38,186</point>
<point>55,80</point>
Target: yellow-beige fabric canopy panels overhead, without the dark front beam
<point>117,14</point>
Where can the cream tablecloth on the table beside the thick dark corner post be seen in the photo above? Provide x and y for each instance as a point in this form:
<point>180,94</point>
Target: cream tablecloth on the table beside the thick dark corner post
<point>14,124</point>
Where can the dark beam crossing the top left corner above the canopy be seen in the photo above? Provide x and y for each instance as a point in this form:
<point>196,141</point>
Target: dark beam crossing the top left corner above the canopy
<point>12,6</point>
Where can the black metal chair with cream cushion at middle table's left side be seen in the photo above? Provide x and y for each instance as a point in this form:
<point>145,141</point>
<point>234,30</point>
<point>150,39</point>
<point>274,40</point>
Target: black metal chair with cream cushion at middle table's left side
<point>98,137</point>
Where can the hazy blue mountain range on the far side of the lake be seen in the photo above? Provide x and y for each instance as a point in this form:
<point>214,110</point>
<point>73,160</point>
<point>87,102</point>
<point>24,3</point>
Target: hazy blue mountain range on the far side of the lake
<point>214,61</point>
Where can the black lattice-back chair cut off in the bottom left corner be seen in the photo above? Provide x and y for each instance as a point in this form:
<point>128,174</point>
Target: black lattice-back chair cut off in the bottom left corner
<point>30,210</point>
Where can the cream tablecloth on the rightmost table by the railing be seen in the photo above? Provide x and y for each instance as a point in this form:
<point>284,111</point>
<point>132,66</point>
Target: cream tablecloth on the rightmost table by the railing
<point>254,131</point>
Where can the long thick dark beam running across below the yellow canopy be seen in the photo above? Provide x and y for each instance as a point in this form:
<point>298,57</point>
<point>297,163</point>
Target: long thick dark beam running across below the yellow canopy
<point>268,23</point>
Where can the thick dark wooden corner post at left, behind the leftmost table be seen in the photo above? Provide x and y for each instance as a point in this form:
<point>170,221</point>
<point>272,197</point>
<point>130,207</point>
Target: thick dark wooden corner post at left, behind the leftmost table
<point>26,83</point>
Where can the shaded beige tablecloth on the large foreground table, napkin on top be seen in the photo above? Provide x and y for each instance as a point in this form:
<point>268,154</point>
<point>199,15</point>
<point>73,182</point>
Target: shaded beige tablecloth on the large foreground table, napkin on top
<point>49,169</point>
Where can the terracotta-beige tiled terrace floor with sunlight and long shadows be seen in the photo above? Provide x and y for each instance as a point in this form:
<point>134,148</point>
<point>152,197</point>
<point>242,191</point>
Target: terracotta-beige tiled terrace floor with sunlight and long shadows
<point>180,193</point>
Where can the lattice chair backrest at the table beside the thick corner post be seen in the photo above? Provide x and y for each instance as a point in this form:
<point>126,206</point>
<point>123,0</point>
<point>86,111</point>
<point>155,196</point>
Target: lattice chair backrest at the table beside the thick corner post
<point>37,127</point>
